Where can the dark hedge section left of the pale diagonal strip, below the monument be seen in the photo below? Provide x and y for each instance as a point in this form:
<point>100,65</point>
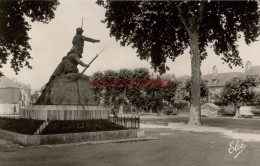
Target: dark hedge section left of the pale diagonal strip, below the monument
<point>22,126</point>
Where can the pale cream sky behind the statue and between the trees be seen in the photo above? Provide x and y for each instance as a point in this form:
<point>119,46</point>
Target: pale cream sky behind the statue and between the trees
<point>50,42</point>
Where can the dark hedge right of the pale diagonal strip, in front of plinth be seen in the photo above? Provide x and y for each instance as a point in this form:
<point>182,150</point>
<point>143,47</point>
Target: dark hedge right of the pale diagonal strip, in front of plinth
<point>77,126</point>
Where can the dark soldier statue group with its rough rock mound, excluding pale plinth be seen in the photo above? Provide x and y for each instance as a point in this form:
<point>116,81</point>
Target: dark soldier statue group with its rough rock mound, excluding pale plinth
<point>58,90</point>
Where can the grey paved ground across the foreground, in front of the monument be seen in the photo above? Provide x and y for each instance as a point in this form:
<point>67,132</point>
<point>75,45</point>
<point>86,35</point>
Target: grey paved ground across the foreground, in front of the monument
<point>173,148</point>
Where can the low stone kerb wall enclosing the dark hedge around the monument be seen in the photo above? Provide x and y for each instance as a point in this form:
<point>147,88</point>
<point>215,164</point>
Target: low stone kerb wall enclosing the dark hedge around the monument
<point>29,140</point>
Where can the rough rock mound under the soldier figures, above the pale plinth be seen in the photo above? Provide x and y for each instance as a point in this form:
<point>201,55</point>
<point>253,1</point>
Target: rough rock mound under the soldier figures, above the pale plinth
<point>70,89</point>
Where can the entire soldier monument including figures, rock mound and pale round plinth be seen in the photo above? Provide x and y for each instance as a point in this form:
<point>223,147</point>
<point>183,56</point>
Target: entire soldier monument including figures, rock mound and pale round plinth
<point>67,94</point>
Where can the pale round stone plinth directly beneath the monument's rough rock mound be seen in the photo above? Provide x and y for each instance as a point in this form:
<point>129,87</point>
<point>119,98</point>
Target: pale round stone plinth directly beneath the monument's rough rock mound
<point>64,112</point>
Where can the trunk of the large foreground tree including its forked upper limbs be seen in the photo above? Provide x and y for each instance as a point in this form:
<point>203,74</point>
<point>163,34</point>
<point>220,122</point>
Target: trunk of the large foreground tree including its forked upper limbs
<point>192,25</point>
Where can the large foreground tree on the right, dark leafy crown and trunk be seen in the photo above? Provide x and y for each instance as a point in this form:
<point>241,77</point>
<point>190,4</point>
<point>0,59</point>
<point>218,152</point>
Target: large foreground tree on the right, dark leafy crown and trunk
<point>163,30</point>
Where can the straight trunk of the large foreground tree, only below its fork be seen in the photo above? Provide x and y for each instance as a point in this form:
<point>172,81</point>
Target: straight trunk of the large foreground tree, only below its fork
<point>195,113</point>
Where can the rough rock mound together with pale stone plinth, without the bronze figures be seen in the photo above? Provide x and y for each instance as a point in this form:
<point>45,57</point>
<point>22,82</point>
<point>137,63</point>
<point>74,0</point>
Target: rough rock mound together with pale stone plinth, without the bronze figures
<point>66,97</point>
